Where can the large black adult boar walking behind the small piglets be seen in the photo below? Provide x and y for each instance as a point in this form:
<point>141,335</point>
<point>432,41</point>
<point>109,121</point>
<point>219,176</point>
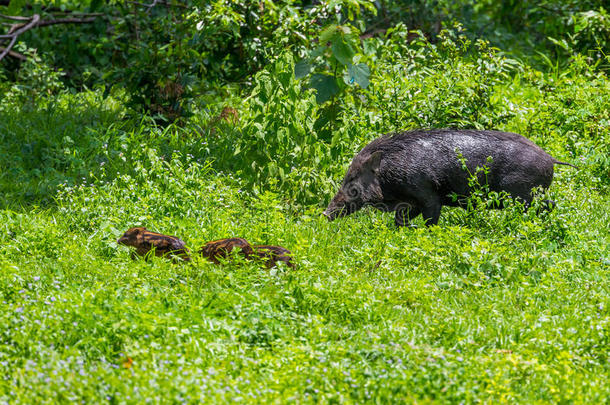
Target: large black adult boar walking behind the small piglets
<point>417,172</point>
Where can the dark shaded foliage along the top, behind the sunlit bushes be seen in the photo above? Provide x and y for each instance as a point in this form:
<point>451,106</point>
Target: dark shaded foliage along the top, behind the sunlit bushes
<point>173,58</point>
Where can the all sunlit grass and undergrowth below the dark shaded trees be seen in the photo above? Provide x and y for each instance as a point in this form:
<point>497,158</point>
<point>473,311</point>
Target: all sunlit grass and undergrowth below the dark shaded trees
<point>488,306</point>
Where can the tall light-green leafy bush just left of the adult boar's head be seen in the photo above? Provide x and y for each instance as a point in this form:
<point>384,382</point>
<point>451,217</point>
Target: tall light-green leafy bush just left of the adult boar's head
<point>278,145</point>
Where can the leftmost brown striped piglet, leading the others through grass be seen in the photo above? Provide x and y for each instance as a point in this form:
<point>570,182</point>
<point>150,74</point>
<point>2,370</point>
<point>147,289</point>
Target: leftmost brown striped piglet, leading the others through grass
<point>163,245</point>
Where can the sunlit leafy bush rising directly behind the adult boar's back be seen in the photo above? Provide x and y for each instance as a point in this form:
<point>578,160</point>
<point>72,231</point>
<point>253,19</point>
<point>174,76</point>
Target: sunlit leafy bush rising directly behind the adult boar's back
<point>443,85</point>
